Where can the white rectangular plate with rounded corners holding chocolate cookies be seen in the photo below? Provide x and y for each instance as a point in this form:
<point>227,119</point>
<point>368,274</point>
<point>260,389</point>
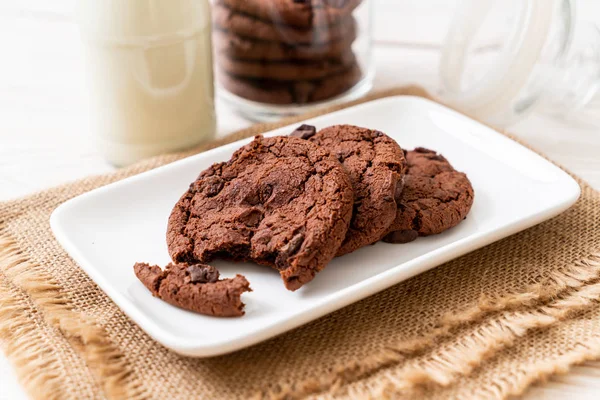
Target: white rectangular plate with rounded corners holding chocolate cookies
<point>107,230</point>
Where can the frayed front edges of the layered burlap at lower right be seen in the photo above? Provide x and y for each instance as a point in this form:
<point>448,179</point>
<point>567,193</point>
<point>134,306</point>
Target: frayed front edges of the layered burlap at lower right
<point>560,296</point>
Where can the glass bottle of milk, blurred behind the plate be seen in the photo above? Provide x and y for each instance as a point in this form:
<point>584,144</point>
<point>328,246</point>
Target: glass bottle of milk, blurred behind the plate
<point>150,75</point>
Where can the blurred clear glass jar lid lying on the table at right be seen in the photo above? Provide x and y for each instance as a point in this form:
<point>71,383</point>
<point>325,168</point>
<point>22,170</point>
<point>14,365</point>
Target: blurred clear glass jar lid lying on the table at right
<point>503,59</point>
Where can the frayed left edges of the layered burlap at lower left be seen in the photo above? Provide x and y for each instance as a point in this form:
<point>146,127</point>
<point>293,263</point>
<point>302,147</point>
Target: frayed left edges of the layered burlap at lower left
<point>100,354</point>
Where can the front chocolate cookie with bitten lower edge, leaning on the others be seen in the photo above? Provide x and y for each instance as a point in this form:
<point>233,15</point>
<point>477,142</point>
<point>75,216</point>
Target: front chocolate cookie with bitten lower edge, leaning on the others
<point>282,202</point>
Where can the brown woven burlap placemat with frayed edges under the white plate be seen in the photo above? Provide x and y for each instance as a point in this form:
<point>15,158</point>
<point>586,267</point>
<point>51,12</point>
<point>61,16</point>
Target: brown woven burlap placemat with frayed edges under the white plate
<point>485,325</point>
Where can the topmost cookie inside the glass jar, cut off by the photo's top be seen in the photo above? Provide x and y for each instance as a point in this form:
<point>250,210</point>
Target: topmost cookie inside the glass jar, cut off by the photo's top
<point>298,13</point>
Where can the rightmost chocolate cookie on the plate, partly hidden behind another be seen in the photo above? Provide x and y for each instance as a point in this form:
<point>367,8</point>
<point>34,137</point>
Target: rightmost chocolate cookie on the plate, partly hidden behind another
<point>435,198</point>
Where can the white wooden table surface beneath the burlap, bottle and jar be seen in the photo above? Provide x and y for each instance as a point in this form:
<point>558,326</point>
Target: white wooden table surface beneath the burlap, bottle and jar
<point>44,137</point>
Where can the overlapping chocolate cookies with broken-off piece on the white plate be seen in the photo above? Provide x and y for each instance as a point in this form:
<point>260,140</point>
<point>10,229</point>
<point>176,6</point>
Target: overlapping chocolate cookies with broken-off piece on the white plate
<point>293,203</point>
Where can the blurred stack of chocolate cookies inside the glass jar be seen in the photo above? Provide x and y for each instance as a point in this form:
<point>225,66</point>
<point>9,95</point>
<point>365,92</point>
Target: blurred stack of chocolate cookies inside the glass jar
<point>285,51</point>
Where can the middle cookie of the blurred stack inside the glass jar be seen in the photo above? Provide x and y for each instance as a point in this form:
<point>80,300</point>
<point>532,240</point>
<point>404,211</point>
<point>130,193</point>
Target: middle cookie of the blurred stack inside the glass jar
<point>237,47</point>
